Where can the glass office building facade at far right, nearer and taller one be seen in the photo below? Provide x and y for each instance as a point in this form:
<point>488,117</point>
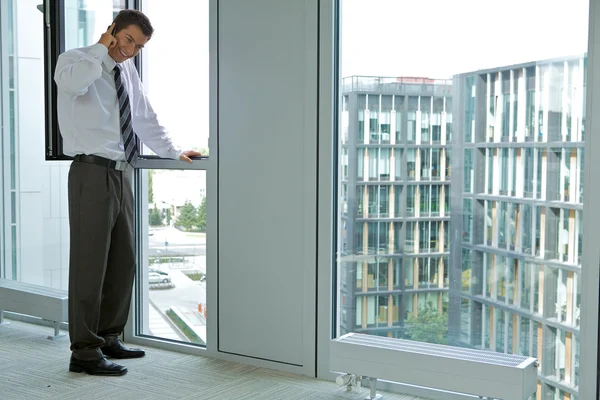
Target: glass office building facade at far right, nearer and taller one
<point>531,246</point>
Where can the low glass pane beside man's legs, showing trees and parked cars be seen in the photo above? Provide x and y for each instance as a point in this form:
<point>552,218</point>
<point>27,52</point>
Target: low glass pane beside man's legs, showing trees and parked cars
<point>174,267</point>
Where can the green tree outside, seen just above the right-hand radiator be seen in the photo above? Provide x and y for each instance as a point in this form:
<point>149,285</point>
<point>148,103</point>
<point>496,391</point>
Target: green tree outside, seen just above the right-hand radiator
<point>428,325</point>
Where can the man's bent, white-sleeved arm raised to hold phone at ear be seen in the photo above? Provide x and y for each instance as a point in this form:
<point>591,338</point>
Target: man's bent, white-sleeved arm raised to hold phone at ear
<point>76,71</point>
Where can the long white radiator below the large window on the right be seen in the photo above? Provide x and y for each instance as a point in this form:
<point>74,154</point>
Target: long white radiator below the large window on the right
<point>468,371</point>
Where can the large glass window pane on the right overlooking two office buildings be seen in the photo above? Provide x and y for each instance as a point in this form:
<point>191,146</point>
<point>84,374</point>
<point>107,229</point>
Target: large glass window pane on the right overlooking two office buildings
<point>515,237</point>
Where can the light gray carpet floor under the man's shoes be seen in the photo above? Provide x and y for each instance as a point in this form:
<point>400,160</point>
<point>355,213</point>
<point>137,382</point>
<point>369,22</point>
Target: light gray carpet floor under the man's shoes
<point>33,367</point>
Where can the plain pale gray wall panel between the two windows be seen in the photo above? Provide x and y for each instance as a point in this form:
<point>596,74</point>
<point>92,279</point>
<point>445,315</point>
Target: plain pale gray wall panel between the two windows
<point>267,115</point>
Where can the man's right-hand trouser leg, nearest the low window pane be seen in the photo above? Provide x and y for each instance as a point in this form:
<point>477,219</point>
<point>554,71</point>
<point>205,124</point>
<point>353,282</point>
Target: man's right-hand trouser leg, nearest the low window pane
<point>120,270</point>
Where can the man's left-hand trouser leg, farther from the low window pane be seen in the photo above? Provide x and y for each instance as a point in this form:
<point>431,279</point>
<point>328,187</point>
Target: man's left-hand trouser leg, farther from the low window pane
<point>92,205</point>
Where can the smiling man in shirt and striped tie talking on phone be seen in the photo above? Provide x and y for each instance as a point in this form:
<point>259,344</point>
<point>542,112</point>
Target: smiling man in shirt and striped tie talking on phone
<point>103,113</point>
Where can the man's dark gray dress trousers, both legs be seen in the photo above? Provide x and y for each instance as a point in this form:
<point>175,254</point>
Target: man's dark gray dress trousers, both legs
<point>102,256</point>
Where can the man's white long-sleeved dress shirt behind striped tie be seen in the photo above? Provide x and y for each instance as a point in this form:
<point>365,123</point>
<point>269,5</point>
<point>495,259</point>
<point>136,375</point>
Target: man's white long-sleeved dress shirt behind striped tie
<point>87,106</point>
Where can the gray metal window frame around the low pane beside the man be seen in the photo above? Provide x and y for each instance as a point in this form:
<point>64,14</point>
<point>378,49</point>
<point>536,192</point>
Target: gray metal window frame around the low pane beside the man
<point>132,331</point>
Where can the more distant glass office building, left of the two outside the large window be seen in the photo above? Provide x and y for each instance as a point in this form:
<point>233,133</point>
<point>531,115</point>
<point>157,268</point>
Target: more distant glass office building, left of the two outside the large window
<point>404,234</point>
